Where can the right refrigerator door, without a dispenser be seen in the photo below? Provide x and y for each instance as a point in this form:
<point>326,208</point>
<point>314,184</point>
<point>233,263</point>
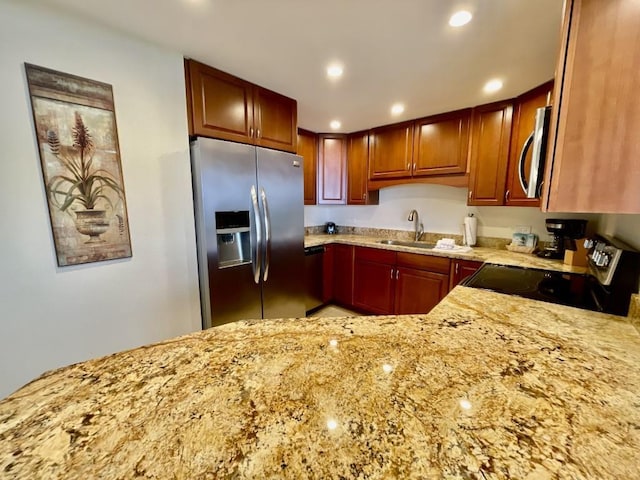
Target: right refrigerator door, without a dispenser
<point>281,195</point>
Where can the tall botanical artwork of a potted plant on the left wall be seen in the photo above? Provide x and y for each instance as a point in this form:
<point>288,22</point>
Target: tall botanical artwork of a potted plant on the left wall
<point>75,125</point>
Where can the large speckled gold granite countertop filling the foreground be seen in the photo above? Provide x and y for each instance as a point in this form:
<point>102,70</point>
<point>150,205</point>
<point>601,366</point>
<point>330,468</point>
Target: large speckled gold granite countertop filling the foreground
<point>485,386</point>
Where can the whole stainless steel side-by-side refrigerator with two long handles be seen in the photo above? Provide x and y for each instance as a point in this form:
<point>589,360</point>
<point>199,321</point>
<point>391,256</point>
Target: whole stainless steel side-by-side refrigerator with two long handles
<point>249,212</point>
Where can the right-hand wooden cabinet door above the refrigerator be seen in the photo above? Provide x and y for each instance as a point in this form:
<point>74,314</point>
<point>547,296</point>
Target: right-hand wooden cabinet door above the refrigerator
<point>276,120</point>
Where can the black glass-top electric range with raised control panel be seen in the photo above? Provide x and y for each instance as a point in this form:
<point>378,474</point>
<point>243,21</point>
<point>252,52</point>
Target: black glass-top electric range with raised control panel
<point>614,274</point>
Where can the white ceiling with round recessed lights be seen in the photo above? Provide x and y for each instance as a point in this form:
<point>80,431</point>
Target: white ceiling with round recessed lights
<point>392,50</point>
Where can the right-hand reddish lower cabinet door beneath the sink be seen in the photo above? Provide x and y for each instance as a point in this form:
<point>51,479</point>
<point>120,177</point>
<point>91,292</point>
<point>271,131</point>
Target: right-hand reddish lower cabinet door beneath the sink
<point>418,291</point>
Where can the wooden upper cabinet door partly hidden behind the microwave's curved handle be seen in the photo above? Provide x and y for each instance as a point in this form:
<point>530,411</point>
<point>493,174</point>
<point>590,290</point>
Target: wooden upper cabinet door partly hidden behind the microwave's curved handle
<point>524,116</point>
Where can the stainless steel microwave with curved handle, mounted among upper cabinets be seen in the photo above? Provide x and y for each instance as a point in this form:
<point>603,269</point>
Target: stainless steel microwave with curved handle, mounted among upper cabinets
<point>538,142</point>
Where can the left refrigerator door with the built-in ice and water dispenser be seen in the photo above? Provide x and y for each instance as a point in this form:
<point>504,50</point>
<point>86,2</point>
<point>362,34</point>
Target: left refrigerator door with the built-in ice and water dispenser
<point>223,176</point>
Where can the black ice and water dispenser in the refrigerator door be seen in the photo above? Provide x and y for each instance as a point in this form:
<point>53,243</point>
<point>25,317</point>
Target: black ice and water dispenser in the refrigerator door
<point>234,238</point>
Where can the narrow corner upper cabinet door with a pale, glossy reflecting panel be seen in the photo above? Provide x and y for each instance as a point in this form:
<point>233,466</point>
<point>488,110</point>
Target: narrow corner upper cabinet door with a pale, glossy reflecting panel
<point>332,169</point>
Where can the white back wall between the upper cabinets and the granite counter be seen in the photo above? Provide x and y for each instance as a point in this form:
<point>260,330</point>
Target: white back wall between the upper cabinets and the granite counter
<point>441,209</point>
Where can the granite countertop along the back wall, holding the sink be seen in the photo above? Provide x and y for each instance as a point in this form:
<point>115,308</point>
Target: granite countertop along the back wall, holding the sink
<point>481,254</point>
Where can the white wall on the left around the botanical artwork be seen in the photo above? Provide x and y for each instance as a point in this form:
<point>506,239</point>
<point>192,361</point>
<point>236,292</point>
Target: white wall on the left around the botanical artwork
<point>52,316</point>
